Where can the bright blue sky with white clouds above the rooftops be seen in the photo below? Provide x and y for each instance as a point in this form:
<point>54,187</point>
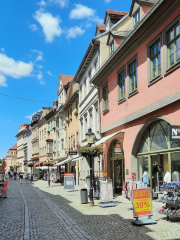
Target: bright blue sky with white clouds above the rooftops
<point>38,41</point>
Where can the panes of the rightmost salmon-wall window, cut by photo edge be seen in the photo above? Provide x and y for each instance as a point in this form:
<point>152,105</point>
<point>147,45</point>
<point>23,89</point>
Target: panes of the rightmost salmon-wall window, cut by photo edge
<point>173,46</point>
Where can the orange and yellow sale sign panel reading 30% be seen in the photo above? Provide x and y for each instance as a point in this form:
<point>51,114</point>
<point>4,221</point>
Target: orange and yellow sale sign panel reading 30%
<point>142,205</point>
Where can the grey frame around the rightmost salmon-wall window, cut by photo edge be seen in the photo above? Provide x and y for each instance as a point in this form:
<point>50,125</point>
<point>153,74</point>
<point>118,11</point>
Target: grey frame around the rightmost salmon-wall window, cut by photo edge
<point>168,69</point>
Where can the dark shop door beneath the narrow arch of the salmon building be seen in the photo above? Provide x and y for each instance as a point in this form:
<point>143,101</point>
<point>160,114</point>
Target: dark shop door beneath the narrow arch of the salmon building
<point>117,175</point>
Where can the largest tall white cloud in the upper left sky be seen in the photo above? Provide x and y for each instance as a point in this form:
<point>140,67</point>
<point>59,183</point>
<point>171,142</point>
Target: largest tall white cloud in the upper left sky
<point>49,24</point>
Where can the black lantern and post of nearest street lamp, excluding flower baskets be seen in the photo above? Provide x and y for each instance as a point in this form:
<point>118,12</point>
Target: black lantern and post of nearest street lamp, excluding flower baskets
<point>90,138</point>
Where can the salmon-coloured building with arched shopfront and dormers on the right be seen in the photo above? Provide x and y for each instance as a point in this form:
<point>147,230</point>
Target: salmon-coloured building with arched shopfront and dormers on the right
<point>139,91</point>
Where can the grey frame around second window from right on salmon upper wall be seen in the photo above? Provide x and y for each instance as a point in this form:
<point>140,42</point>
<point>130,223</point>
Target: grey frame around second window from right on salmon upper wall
<point>149,46</point>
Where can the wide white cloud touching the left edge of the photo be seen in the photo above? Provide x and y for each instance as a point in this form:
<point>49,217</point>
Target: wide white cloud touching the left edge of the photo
<point>12,68</point>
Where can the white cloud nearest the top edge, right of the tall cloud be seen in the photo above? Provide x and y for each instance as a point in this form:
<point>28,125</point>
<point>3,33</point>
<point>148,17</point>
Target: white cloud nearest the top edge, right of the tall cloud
<point>80,11</point>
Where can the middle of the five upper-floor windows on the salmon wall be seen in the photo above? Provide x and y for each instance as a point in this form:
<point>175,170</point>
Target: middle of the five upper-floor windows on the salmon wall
<point>132,76</point>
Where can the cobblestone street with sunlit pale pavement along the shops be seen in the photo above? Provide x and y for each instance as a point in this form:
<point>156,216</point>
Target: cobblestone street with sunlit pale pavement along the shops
<point>37,212</point>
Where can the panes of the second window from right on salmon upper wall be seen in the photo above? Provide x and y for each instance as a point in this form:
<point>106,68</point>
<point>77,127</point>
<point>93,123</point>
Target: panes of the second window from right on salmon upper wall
<point>156,60</point>
